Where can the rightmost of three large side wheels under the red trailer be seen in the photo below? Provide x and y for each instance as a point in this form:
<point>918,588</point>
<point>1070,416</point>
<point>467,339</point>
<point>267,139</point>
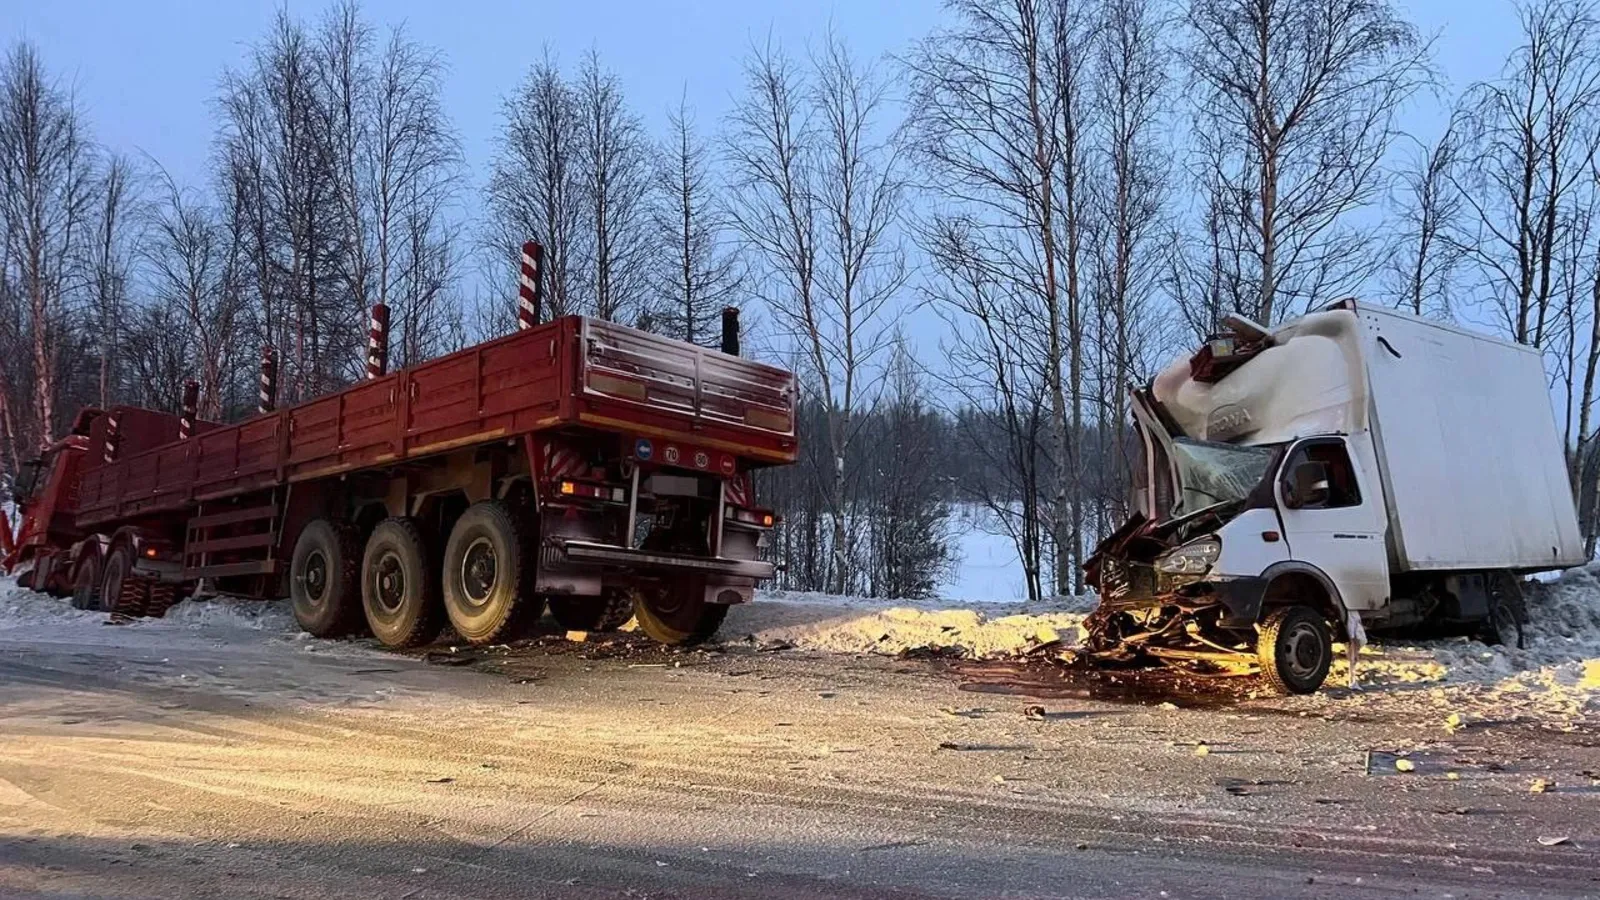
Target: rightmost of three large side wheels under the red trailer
<point>489,574</point>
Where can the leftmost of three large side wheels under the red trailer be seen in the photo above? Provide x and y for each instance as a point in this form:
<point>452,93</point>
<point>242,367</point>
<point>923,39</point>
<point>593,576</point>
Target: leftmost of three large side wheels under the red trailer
<point>326,579</point>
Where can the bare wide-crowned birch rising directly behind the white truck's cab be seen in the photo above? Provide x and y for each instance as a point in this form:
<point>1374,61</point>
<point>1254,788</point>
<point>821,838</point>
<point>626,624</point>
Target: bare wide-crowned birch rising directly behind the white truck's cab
<point>1295,115</point>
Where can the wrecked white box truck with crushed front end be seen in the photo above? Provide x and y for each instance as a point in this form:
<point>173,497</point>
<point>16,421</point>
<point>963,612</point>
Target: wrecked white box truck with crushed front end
<point>1356,465</point>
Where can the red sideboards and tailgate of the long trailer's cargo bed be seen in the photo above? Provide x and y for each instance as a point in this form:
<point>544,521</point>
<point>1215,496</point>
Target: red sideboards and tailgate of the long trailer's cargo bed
<point>567,372</point>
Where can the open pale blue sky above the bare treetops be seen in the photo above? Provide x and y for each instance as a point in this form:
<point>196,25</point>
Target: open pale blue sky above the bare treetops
<point>148,70</point>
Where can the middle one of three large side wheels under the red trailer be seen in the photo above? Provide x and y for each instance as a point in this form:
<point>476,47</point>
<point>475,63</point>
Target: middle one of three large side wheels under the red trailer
<point>399,590</point>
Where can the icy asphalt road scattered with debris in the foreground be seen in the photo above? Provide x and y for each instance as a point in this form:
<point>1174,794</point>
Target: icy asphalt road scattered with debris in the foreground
<point>217,761</point>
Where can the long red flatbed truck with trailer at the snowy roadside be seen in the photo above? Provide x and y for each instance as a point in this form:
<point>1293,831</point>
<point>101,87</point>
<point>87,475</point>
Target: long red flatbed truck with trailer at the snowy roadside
<point>580,465</point>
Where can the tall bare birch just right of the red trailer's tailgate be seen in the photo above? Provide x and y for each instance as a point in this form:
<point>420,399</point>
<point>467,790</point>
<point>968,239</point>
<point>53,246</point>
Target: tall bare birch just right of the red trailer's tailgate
<point>818,188</point>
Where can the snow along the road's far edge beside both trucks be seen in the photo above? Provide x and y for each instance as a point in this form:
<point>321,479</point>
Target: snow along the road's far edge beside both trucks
<point>1554,680</point>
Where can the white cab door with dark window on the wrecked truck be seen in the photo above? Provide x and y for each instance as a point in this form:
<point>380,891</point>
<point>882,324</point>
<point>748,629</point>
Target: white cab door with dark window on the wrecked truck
<point>1337,521</point>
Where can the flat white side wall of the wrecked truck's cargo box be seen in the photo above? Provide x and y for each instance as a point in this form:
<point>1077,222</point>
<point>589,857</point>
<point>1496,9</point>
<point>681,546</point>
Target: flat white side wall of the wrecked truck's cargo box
<point>1468,448</point>
